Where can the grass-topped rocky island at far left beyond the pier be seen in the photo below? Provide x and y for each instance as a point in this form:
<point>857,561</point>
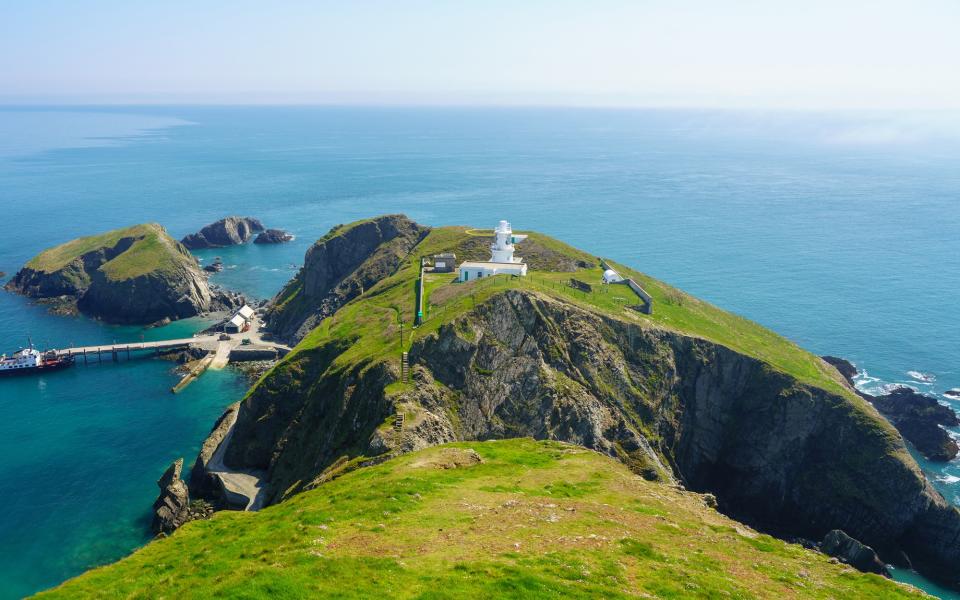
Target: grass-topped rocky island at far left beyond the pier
<point>134,275</point>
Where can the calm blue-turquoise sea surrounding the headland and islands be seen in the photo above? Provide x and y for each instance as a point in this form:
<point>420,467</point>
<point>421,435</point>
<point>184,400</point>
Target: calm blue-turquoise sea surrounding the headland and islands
<point>841,231</point>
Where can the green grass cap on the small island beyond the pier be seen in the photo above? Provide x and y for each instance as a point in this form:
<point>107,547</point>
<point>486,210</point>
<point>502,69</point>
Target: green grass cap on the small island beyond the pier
<point>153,250</point>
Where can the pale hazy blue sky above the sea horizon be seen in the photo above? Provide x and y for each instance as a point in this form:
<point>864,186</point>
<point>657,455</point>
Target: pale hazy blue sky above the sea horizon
<point>877,54</point>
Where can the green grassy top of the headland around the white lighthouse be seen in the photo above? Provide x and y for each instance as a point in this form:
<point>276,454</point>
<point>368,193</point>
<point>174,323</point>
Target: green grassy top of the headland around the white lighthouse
<point>372,318</point>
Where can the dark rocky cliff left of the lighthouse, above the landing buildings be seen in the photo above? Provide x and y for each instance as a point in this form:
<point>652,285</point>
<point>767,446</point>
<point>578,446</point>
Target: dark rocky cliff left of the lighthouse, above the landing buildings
<point>338,268</point>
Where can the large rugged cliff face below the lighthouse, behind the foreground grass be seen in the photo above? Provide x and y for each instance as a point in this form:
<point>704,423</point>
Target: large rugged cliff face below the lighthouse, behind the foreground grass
<point>776,453</point>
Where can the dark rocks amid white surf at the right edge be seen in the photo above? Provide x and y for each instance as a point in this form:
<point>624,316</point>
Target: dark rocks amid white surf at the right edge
<point>918,417</point>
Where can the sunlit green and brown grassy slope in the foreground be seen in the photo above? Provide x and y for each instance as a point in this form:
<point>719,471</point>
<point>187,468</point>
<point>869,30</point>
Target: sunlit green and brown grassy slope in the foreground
<point>534,520</point>
